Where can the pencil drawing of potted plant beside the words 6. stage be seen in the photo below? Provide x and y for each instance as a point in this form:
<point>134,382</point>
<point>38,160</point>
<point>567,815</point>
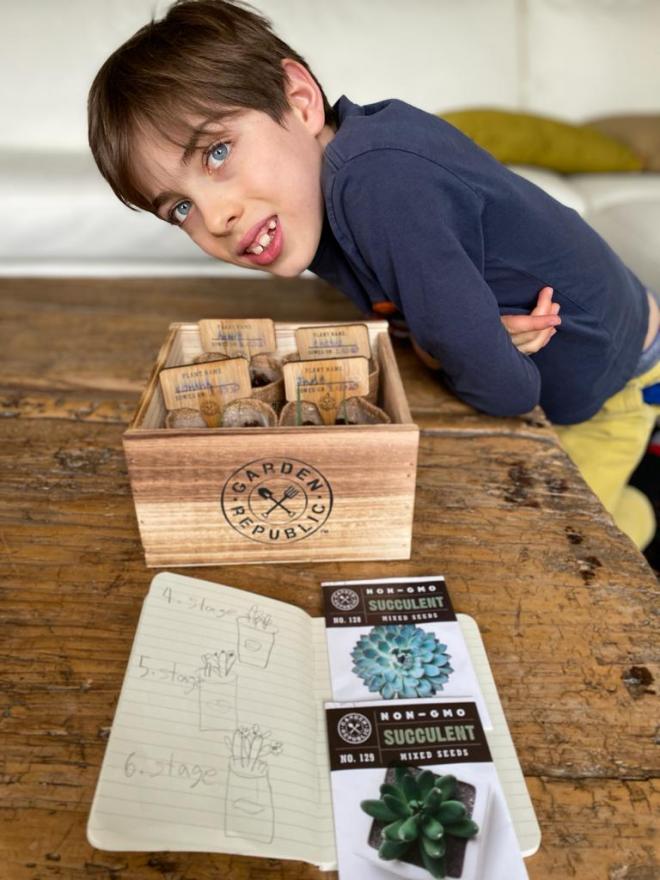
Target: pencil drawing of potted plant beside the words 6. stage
<point>249,796</point>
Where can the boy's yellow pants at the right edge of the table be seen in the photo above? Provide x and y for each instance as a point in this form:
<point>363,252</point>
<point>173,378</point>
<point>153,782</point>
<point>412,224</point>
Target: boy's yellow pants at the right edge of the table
<point>608,447</point>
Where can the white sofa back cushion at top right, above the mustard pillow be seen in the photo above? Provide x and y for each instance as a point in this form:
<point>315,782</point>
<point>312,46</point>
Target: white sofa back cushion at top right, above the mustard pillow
<point>587,58</point>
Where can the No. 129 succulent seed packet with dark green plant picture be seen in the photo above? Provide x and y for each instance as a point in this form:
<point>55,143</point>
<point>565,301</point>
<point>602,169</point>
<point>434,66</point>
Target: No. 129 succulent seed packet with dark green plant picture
<point>416,794</point>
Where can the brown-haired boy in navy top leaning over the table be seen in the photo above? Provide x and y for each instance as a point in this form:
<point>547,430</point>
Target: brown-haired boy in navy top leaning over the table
<point>212,123</point>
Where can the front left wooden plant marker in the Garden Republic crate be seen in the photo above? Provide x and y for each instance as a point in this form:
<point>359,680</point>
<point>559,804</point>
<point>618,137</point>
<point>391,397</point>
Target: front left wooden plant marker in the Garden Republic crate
<point>206,387</point>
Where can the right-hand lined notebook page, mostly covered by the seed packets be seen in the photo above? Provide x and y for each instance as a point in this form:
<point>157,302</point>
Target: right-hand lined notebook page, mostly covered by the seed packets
<point>501,745</point>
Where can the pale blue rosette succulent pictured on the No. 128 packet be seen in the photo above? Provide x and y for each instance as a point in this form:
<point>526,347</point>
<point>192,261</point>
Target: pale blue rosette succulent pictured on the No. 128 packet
<point>401,662</point>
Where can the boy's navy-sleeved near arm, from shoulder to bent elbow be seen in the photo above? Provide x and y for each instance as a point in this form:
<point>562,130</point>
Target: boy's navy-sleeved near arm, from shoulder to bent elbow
<point>418,229</point>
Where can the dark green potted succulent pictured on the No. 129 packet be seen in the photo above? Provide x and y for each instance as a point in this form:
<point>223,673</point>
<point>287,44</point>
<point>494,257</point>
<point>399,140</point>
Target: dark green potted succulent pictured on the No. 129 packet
<point>422,824</point>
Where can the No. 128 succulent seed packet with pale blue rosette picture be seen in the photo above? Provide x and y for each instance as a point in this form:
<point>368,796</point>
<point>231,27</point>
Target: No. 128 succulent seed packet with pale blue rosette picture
<point>397,639</point>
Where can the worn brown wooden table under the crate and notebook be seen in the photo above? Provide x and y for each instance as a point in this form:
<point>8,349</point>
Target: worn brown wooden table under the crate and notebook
<point>564,601</point>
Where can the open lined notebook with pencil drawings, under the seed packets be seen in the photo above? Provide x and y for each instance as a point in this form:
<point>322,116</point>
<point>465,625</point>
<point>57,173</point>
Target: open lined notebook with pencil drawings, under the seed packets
<point>218,742</point>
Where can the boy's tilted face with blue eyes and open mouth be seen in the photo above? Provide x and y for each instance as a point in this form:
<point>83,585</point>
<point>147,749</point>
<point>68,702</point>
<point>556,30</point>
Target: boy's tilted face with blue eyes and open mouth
<point>251,196</point>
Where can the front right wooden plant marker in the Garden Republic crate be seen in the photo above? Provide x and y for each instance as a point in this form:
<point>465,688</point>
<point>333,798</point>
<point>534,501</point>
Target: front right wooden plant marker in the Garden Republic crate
<point>327,383</point>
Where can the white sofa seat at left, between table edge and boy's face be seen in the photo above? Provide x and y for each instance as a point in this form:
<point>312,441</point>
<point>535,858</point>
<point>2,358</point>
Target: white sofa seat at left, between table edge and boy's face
<point>58,211</point>
